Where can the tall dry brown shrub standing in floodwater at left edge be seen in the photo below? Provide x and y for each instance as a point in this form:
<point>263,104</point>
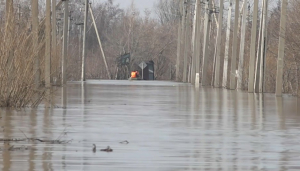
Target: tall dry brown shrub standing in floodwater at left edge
<point>17,59</point>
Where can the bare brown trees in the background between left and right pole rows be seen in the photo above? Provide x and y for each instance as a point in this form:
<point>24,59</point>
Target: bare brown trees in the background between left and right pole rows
<point>125,31</point>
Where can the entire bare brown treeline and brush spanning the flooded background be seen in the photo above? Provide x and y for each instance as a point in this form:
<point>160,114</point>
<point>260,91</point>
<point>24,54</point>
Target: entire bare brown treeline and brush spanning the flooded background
<point>150,35</point>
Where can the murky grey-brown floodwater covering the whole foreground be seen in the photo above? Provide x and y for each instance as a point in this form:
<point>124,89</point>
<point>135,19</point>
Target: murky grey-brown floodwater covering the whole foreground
<point>169,127</point>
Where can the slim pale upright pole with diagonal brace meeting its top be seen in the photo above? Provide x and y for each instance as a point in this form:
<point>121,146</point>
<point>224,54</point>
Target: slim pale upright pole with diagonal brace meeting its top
<point>84,40</point>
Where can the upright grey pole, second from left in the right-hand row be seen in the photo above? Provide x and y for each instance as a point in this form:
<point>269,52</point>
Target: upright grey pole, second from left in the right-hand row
<point>186,40</point>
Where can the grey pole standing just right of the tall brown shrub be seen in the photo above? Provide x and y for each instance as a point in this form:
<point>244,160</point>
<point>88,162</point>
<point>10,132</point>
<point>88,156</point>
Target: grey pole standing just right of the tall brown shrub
<point>48,44</point>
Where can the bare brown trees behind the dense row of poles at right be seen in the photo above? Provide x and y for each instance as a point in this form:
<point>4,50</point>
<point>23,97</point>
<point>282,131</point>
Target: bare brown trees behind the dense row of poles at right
<point>291,59</point>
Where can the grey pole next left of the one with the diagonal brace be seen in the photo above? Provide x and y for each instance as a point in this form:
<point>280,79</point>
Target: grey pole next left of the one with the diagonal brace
<point>65,43</point>
